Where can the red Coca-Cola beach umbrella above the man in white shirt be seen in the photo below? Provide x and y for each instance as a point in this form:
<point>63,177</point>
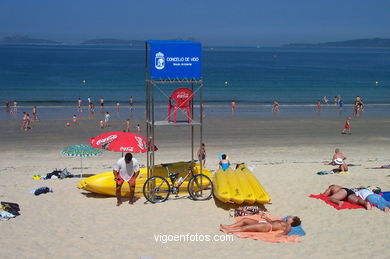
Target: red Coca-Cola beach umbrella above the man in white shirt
<point>121,142</point>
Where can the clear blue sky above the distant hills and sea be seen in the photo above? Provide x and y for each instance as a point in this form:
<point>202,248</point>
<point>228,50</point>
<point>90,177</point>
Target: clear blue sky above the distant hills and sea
<point>215,22</point>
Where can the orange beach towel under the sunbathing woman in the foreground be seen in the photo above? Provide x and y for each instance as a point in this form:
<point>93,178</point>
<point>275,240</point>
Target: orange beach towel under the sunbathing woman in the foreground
<point>267,236</point>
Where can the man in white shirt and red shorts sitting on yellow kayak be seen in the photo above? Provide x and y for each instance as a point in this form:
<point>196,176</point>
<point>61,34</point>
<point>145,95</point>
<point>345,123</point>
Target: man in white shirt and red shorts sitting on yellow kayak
<point>126,169</point>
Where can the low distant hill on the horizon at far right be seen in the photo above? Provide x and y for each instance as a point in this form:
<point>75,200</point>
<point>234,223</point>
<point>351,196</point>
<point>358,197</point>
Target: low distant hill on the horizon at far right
<point>359,43</point>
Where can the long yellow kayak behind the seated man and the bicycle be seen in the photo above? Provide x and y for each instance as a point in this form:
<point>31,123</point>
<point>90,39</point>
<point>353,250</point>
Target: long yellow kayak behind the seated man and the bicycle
<point>104,183</point>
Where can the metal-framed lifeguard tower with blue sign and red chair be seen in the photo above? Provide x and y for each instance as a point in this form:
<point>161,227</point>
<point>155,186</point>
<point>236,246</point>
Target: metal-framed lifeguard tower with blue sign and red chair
<point>173,63</point>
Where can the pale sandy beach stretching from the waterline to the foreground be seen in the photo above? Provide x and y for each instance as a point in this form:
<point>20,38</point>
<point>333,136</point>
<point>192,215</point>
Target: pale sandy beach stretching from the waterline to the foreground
<point>286,153</point>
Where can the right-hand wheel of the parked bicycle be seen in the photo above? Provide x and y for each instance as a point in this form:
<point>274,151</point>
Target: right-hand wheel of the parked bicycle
<point>200,187</point>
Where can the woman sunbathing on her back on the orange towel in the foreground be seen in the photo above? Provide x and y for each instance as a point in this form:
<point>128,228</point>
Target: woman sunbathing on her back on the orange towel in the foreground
<point>263,225</point>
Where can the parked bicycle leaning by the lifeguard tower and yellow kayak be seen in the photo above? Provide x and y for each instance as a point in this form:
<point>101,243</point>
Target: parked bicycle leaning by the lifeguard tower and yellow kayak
<point>157,189</point>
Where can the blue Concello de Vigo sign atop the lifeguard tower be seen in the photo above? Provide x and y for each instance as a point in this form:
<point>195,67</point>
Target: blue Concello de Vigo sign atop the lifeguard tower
<point>174,60</point>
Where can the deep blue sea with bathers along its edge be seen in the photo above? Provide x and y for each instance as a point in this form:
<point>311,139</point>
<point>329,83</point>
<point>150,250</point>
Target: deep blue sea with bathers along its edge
<point>51,77</point>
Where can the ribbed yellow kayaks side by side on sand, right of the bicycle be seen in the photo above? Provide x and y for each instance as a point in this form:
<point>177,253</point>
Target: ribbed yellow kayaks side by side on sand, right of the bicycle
<point>239,186</point>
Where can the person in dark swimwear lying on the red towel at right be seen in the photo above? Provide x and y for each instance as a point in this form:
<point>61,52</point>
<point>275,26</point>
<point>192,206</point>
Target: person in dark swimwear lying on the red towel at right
<point>339,194</point>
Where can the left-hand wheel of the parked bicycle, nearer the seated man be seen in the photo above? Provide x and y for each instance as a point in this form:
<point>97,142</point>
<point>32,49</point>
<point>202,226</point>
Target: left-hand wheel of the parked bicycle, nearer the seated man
<point>156,189</point>
